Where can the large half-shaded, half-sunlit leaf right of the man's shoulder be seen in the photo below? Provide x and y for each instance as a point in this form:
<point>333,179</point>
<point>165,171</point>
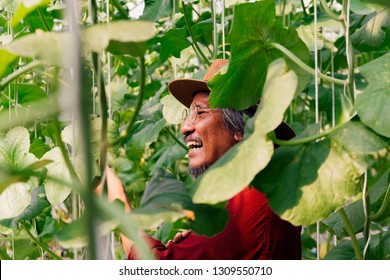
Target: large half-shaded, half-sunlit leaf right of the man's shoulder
<point>306,183</point>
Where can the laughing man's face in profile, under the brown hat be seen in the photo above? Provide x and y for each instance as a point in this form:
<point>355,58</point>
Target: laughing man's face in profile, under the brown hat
<point>207,137</point>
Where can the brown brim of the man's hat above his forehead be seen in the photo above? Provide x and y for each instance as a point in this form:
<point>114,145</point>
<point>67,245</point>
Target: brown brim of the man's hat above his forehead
<point>185,89</point>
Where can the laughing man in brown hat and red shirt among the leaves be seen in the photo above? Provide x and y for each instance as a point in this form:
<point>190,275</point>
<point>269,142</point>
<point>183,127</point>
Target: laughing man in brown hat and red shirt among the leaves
<point>253,230</point>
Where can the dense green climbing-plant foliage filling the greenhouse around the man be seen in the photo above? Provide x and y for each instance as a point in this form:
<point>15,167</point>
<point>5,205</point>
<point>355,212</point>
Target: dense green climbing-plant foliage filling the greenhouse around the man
<point>84,84</point>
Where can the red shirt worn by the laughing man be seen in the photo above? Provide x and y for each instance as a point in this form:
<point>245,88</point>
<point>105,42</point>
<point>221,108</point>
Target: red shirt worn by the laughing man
<point>253,232</point>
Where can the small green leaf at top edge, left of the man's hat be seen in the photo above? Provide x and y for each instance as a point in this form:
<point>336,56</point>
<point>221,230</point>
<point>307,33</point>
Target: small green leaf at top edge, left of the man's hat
<point>157,9</point>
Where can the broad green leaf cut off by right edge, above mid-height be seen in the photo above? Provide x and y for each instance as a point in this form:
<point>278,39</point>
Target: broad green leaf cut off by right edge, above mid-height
<point>372,105</point>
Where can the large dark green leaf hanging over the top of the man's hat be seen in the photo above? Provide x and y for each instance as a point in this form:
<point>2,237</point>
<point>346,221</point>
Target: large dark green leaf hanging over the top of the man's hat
<point>253,28</point>
